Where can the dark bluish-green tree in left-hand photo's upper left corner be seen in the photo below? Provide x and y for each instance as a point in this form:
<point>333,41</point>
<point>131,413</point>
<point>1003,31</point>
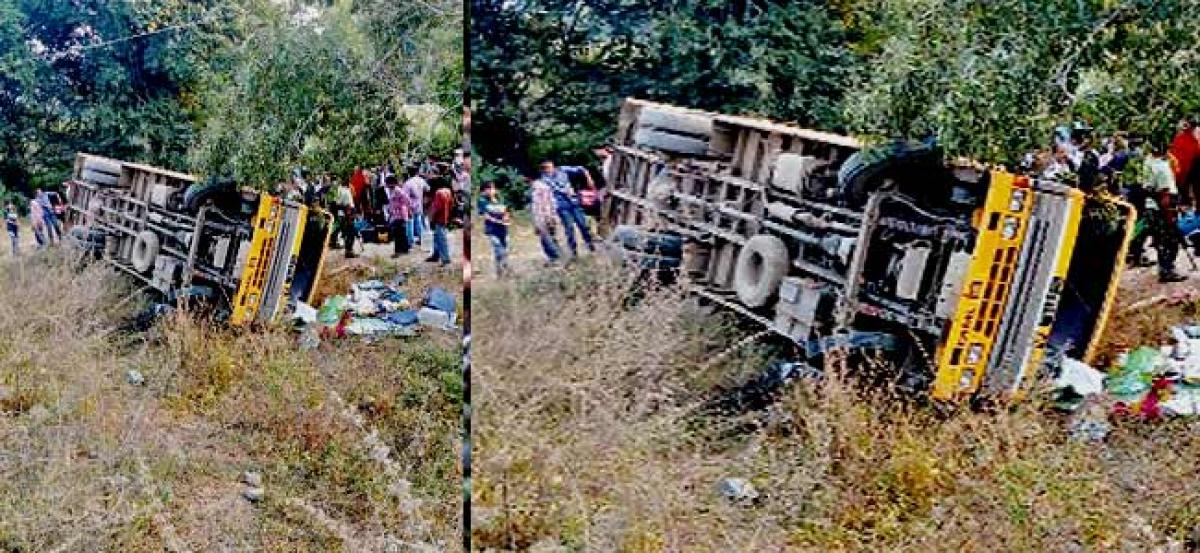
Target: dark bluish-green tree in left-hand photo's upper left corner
<point>100,77</point>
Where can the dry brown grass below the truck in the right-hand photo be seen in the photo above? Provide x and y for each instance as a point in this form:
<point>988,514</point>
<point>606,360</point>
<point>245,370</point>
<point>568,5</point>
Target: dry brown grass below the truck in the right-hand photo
<point>586,441</point>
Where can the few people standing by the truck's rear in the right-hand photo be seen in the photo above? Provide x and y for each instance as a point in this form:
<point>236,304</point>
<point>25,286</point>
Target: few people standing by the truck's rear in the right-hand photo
<point>565,200</point>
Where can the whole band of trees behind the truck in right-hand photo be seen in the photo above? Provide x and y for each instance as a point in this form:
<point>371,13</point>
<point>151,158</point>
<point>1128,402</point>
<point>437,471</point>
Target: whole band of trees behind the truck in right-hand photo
<point>991,80</point>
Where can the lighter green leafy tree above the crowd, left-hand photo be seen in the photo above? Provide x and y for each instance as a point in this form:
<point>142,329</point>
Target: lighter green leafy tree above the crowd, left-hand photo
<point>341,89</point>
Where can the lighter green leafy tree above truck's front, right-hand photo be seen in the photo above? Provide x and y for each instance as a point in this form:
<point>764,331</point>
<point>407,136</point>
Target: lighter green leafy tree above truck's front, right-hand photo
<point>993,80</point>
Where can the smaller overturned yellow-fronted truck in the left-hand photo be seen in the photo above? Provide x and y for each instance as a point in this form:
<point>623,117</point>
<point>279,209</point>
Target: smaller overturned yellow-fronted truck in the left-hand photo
<point>251,255</point>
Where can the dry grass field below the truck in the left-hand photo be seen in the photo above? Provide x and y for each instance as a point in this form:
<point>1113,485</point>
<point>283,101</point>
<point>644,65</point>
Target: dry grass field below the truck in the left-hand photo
<point>89,462</point>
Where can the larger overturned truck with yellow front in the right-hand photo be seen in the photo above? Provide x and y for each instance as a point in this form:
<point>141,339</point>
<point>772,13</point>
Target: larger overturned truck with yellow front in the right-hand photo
<point>967,279</point>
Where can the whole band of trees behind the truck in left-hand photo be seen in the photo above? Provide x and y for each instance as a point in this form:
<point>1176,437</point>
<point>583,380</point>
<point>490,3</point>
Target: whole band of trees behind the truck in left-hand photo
<point>243,87</point>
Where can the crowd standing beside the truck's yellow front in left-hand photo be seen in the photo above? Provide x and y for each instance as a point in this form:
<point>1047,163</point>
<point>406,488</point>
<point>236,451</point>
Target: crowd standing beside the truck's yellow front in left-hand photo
<point>403,205</point>
